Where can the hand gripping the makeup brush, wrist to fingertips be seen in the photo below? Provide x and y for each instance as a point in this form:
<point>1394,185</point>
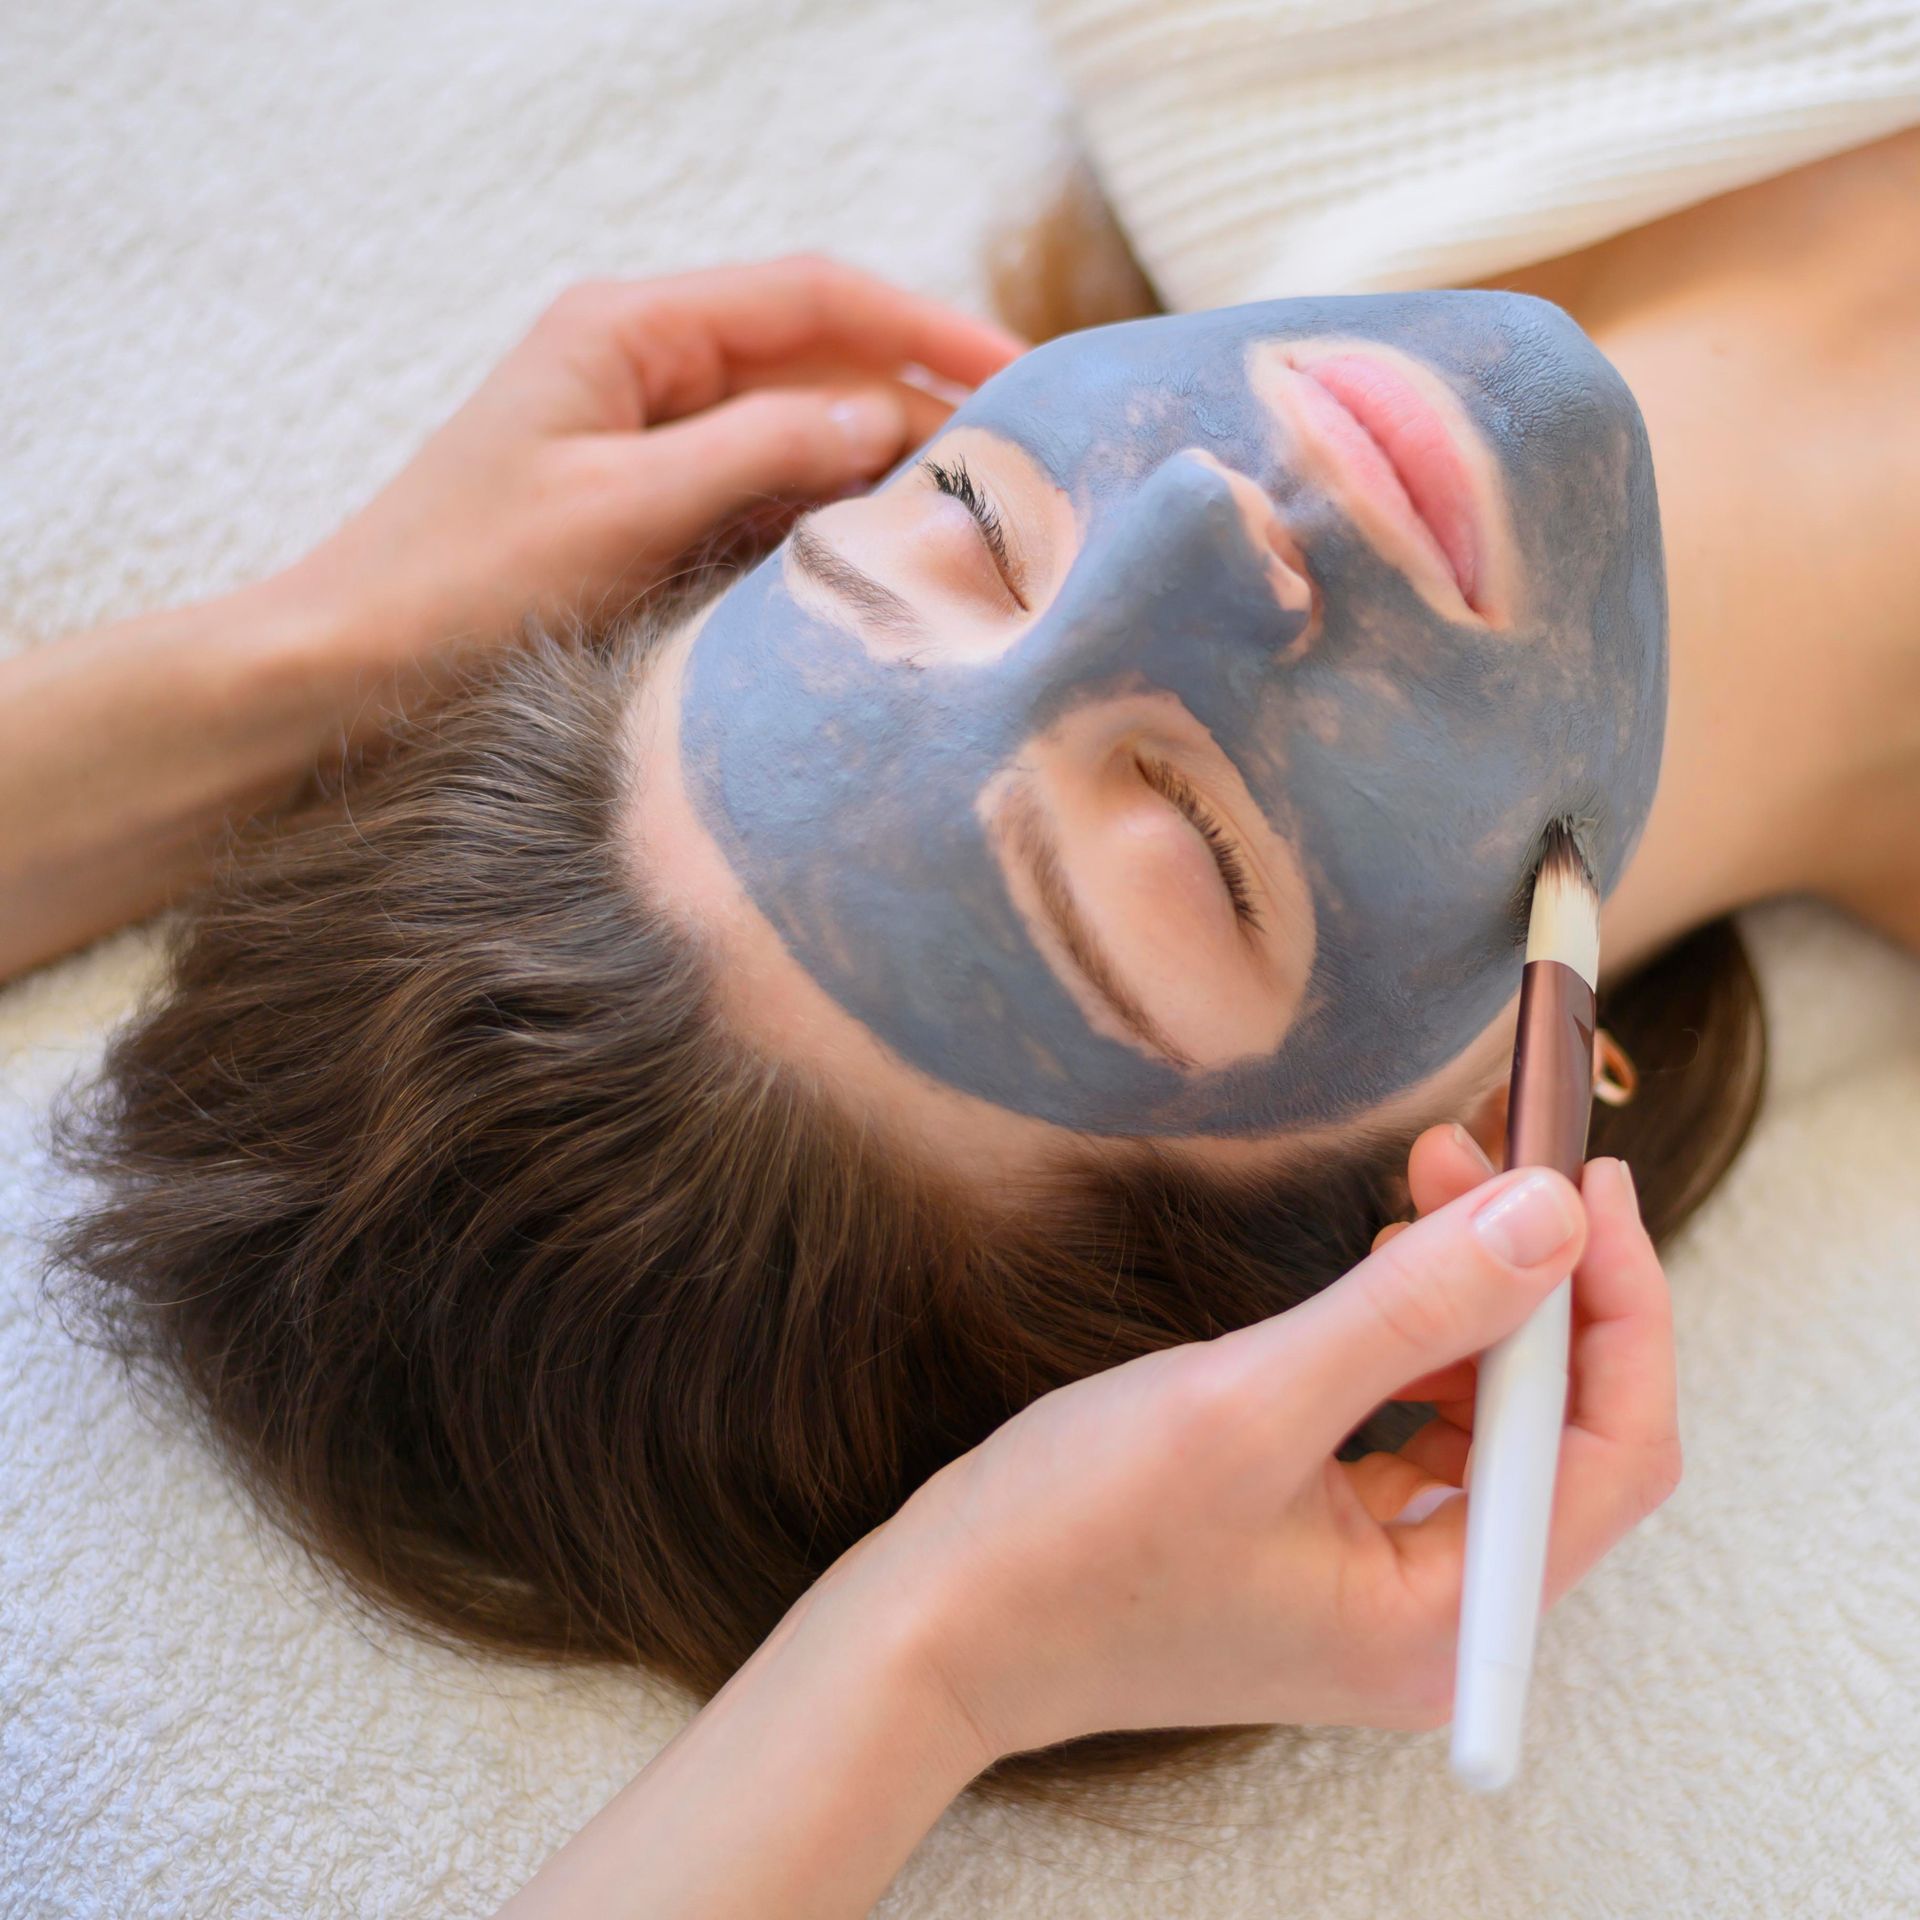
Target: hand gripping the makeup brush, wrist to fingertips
<point>1174,1543</point>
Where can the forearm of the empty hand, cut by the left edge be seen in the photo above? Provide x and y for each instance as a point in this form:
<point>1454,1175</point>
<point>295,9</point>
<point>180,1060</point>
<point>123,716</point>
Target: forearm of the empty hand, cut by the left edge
<point>126,752</point>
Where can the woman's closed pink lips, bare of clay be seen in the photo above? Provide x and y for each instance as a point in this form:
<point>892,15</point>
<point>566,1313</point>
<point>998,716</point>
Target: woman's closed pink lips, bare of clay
<point>1403,456</point>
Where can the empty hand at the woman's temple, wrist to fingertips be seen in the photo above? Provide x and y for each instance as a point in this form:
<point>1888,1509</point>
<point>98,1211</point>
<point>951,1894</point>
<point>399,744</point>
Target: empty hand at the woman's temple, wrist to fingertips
<point>633,423</point>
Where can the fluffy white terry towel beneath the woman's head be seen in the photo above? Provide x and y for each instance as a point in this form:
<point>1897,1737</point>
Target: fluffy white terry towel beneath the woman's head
<point>249,256</point>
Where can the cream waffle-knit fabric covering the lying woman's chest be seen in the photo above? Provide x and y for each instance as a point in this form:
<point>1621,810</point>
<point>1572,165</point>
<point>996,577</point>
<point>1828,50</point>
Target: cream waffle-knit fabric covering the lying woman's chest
<point>1259,149</point>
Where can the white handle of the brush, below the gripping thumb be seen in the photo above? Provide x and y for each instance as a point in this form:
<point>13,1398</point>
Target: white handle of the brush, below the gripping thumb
<point>1518,1416</point>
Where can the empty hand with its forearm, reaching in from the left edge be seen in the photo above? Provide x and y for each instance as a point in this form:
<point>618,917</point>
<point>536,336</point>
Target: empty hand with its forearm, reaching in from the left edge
<point>636,421</point>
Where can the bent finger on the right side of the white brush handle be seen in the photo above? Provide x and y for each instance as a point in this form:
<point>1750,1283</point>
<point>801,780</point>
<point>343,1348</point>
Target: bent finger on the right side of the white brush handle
<point>1621,1451</point>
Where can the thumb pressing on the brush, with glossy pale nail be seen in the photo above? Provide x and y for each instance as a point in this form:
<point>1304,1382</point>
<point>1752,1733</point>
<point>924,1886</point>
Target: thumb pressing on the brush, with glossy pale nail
<point>1451,1285</point>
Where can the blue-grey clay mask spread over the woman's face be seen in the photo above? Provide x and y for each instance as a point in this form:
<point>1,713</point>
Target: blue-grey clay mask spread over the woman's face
<point>1395,560</point>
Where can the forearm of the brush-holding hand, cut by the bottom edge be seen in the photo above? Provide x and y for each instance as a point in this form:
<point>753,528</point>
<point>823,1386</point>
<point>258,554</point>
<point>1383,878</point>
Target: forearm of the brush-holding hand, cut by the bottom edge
<point>800,1790</point>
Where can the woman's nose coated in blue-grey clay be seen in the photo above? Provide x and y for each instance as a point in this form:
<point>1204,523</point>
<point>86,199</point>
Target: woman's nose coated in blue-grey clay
<point>1193,571</point>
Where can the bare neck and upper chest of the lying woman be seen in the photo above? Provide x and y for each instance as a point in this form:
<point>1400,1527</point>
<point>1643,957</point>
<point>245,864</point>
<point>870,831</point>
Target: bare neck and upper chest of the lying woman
<point>1781,410</point>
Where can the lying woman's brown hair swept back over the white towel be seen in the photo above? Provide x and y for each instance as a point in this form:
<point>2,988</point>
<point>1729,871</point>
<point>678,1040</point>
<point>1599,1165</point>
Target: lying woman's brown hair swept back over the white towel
<point>554,1316</point>
